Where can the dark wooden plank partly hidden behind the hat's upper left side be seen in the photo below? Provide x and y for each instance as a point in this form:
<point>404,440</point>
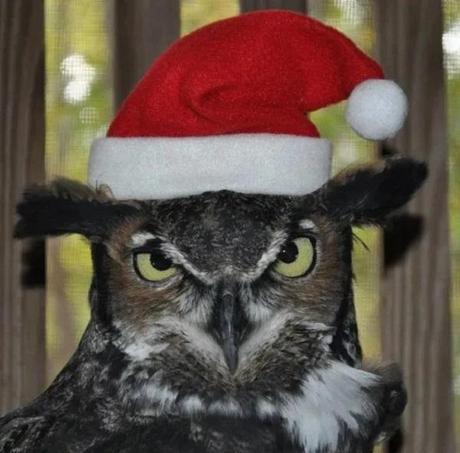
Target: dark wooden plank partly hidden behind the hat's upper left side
<point>142,30</point>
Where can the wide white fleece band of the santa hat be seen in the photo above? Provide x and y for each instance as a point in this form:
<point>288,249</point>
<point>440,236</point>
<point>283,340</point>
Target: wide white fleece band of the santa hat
<point>171,167</point>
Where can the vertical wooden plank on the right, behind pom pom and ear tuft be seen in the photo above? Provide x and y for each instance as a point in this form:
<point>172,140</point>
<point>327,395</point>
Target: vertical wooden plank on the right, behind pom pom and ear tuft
<point>415,306</point>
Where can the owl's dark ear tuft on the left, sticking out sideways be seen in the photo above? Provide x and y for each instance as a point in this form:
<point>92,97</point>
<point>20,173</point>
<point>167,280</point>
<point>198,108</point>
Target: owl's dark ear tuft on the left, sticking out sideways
<point>64,207</point>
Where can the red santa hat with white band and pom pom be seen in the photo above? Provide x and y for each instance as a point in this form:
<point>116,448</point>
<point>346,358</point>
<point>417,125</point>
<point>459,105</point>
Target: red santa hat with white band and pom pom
<point>227,106</point>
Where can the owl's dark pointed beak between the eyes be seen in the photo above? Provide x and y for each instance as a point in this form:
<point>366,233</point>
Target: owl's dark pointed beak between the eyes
<point>228,325</point>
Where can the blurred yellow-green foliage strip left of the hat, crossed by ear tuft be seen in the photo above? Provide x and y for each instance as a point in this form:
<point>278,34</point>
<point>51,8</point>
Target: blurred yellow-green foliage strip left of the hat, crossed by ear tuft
<point>78,108</point>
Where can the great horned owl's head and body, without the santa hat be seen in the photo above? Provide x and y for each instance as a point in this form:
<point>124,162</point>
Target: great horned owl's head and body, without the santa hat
<point>220,322</point>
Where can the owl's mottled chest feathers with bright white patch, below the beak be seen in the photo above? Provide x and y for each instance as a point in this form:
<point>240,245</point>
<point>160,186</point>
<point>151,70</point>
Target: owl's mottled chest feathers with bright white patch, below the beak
<point>300,397</point>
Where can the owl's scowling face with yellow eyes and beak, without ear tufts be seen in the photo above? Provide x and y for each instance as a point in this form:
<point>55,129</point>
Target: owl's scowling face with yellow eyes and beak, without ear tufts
<point>225,265</point>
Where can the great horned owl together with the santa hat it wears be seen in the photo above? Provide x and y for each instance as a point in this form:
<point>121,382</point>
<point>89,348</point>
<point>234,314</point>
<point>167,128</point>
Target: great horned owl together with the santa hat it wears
<point>222,314</point>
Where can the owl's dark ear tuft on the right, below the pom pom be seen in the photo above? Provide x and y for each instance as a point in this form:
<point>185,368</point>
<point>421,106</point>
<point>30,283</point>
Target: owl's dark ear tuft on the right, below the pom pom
<point>367,195</point>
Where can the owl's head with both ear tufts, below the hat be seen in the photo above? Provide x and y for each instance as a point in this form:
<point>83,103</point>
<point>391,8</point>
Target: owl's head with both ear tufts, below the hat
<point>222,272</point>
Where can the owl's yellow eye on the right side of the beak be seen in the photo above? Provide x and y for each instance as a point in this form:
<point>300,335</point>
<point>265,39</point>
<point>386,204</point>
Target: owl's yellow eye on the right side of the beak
<point>297,257</point>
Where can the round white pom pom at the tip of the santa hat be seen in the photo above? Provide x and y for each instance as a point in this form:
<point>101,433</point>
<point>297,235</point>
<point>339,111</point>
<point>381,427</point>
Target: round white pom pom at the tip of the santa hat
<point>376,109</point>
